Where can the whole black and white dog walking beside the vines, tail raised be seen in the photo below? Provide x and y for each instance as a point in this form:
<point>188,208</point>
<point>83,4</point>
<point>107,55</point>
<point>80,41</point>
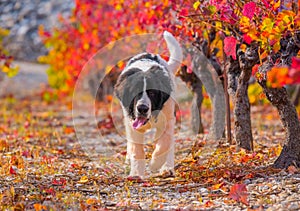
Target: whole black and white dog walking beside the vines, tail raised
<point>145,89</point>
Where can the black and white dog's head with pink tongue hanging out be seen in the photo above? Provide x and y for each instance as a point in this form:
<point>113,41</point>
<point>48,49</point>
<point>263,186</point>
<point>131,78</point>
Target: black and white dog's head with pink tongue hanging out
<point>143,93</point>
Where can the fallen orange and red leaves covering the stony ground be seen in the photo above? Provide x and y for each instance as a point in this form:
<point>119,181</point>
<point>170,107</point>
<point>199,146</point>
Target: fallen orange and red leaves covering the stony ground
<point>43,166</point>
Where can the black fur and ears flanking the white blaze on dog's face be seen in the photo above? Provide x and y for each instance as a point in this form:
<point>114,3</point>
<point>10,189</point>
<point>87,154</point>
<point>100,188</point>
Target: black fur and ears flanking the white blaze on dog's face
<point>129,88</point>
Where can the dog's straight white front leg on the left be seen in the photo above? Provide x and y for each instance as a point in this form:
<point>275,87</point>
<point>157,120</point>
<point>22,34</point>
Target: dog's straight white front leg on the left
<point>135,151</point>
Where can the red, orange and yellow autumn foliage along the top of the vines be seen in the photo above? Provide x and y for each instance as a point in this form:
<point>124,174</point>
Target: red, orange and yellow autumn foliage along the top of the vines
<point>93,24</point>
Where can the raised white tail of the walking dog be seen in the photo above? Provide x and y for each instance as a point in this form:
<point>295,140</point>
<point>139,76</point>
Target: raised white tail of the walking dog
<point>175,51</point>
